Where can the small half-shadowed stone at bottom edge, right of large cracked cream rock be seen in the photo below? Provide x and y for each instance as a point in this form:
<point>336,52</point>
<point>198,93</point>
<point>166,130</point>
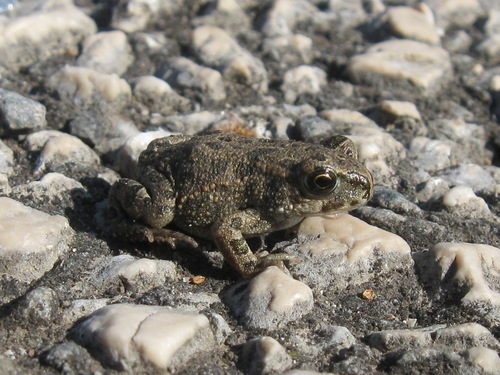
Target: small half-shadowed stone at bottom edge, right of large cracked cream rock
<point>265,355</point>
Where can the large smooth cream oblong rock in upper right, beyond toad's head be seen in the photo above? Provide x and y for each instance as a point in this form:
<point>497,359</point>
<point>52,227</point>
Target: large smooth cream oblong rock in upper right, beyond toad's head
<point>402,62</point>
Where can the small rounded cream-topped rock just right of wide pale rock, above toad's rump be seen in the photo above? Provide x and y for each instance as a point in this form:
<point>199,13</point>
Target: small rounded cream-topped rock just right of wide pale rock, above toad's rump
<point>158,96</point>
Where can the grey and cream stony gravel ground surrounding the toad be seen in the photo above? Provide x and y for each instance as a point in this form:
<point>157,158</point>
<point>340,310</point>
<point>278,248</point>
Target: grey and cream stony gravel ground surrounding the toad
<point>408,284</point>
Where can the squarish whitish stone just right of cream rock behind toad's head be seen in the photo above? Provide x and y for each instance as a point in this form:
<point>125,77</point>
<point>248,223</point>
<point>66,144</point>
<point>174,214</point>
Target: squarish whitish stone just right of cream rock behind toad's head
<point>431,155</point>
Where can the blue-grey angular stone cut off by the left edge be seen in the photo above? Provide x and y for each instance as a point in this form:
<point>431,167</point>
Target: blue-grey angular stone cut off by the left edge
<point>19,114</point>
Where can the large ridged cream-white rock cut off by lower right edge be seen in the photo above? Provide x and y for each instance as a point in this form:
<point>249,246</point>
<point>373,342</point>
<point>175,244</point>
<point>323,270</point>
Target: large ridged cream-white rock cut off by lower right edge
<point>475,266</point>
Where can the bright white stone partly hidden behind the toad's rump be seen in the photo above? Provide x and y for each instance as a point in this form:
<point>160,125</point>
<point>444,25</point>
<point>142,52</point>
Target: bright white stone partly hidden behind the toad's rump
<point>128,156</point>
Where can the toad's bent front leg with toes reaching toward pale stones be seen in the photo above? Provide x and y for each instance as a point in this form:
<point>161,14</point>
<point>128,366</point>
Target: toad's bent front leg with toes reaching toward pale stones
<point>229,235</point>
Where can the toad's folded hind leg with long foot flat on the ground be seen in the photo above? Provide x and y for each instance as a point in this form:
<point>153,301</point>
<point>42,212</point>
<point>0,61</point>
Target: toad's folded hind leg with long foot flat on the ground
<point>139,211</point>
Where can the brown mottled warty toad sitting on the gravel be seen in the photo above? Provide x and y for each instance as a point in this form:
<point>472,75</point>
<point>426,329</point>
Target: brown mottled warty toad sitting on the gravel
<point>226,187</point>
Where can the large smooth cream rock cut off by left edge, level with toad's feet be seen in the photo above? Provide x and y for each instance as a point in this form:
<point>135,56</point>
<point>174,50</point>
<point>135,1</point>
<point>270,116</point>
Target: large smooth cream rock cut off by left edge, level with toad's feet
<point>31,241</point>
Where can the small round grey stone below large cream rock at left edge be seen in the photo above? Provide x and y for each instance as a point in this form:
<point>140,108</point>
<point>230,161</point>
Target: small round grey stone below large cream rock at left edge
<point>41,306</point>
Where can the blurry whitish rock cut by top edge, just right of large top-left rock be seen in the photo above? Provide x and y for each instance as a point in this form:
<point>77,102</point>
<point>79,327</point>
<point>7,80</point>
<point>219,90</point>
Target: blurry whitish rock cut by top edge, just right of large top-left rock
<point>134,15</point>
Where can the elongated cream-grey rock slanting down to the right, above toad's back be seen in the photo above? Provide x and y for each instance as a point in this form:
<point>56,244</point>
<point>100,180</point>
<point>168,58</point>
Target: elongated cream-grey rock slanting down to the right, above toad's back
<point>216,48</point>
